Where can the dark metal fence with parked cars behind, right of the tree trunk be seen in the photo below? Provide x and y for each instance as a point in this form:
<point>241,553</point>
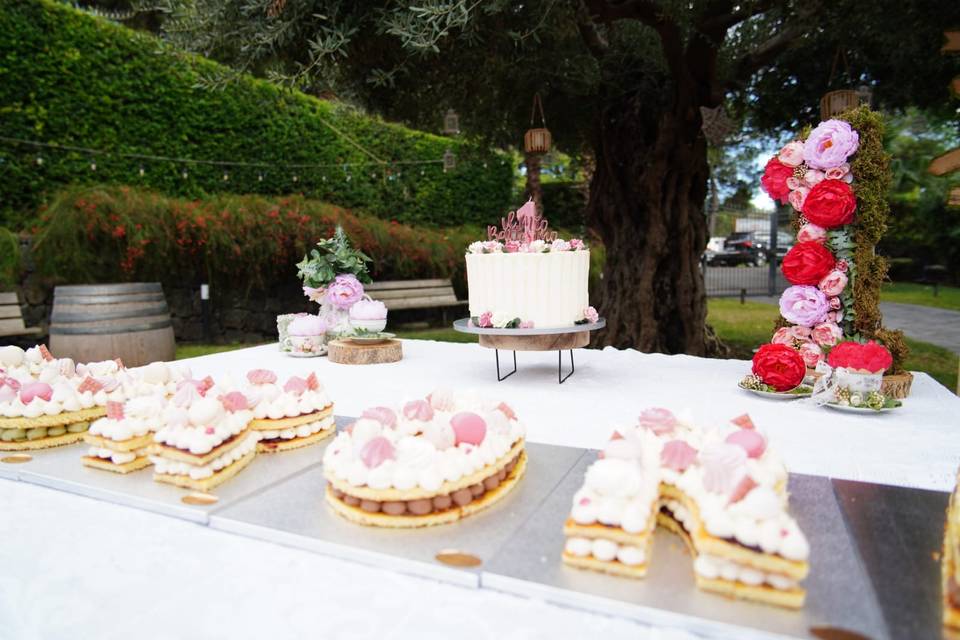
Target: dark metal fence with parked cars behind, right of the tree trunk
<point>744,252</point>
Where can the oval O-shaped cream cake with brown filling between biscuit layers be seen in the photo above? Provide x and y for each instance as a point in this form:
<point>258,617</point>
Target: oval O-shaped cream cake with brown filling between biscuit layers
<point>431,461</point>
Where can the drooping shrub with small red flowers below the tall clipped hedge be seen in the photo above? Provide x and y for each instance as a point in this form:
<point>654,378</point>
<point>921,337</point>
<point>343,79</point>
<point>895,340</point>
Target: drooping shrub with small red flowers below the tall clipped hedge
<point>111,234</point>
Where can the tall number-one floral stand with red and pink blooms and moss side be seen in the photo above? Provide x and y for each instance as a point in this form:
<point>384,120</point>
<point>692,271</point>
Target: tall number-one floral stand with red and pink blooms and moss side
<point>834,178</point>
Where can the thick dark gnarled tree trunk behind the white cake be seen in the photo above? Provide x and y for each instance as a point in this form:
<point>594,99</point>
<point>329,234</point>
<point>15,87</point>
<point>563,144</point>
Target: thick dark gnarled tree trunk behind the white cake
<point>646,203</point>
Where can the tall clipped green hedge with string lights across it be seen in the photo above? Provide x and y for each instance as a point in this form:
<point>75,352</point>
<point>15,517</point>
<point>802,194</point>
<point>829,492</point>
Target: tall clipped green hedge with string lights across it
<point>72,79</point>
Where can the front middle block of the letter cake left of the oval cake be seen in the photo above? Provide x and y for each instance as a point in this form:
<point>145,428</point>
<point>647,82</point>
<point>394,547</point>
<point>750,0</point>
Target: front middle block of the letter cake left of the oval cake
<point>204,438</point>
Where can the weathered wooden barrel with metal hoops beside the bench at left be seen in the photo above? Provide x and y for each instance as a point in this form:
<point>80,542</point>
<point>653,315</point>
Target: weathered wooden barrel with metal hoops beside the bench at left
<point>95,322</point>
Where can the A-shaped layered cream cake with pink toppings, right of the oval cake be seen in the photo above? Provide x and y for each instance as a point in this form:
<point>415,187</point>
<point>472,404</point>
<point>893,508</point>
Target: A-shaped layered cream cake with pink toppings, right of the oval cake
<point>722,490</point>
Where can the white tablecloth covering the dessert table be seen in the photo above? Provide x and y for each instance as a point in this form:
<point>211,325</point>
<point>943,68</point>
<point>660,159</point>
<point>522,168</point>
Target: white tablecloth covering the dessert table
<point>71,567</point>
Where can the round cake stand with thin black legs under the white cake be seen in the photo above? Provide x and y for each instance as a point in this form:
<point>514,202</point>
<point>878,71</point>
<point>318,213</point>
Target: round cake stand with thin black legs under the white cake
<point>559,338</point>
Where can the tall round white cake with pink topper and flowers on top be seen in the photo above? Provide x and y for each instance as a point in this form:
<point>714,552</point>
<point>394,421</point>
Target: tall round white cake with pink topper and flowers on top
<point>524,276</point>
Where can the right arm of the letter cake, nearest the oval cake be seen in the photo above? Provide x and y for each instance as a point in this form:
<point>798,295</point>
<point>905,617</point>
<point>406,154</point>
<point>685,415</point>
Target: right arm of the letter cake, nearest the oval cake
<point>288,415</point>
